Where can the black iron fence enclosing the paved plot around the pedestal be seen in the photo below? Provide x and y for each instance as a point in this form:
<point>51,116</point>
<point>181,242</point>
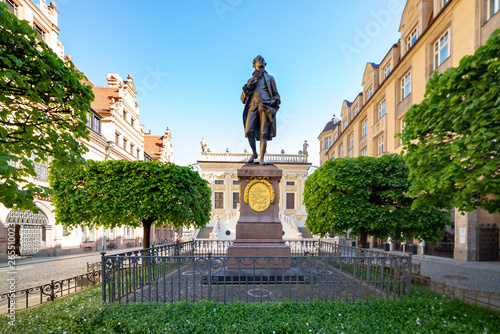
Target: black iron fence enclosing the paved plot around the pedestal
<point>198,270</point>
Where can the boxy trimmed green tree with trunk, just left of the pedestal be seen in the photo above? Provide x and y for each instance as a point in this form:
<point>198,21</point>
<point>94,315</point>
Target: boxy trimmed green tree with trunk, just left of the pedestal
<point>131,193</point>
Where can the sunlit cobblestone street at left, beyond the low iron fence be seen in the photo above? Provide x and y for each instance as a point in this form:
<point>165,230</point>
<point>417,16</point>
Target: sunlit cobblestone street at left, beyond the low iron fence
<point>35,271</point>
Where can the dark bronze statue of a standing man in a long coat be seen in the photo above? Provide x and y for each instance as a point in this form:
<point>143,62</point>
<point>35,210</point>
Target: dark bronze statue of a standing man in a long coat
<point>262,102</point>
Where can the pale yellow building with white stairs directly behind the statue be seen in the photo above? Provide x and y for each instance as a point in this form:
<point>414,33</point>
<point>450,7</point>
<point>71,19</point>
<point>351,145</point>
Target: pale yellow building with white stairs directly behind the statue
<point>220,170</point>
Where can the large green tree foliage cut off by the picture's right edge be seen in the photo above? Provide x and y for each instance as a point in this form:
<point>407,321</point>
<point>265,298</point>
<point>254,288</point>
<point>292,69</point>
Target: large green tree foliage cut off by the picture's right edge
<point>452,138</point>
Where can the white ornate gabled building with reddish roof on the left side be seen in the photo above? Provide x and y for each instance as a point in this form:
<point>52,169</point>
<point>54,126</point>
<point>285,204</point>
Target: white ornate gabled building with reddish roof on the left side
<point>115,134</point>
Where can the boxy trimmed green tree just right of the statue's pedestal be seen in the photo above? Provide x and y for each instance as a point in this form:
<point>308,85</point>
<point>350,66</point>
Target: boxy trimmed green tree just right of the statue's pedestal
<point>368,196</point>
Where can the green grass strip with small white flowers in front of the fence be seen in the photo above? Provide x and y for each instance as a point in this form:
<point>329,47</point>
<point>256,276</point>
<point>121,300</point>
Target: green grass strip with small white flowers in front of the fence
<point>425,312</point>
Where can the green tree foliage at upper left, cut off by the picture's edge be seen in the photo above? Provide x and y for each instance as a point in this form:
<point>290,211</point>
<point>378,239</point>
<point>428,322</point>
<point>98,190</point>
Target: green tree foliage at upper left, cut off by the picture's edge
<point>43,108</point>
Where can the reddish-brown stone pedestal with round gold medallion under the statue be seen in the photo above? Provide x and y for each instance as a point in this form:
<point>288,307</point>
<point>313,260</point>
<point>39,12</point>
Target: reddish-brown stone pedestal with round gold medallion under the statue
<point>259,231</point>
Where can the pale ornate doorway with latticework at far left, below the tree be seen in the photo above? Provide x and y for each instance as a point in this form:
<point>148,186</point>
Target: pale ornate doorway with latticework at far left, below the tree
<point>30,230</point>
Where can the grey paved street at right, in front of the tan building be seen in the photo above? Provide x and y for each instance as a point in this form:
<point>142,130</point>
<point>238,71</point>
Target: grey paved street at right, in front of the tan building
<point>484,276</point>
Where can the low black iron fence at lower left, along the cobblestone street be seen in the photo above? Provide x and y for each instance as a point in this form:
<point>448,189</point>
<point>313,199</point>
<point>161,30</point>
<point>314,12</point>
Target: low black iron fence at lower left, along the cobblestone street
<point>25,298</point>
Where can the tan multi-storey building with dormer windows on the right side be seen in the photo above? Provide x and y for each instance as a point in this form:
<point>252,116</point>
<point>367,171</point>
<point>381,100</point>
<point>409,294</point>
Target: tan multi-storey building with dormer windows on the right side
<point>435,35</point>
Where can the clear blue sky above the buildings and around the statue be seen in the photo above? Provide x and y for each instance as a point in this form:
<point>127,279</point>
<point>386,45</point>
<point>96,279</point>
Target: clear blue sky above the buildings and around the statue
<point>190,59</point>
